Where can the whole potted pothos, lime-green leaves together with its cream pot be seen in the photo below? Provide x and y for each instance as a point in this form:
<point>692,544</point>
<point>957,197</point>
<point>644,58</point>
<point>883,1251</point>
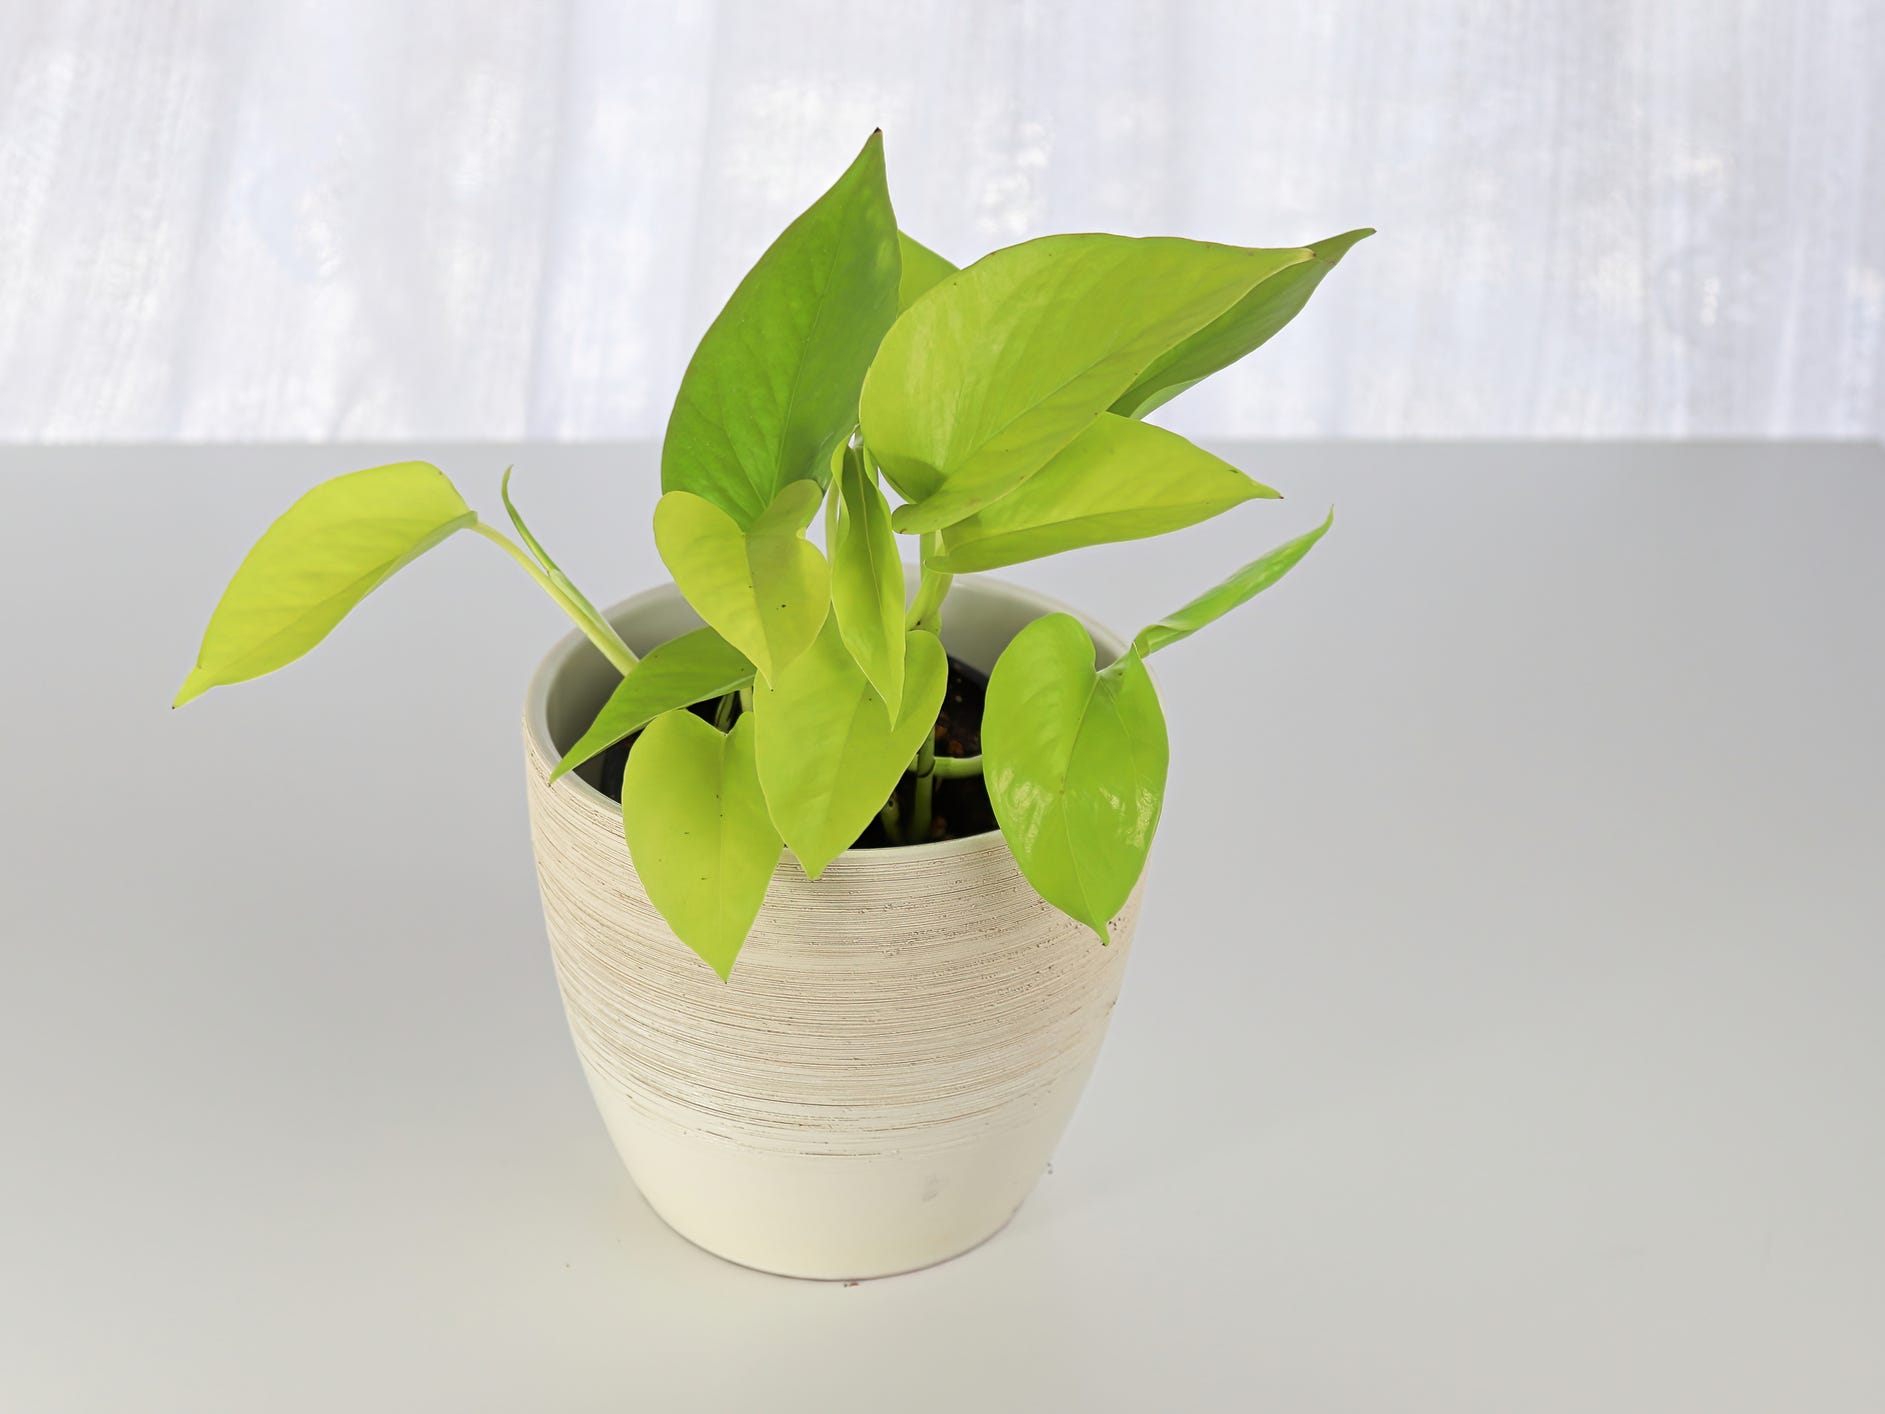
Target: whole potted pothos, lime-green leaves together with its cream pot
<point>840,861</point>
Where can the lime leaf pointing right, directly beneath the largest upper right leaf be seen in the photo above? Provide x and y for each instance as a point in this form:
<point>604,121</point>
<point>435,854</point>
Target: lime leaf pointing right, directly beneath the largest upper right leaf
<point>1119,480</point>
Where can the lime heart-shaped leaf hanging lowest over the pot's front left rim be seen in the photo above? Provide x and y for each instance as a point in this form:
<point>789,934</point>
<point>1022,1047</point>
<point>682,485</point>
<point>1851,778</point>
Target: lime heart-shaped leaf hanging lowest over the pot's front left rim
<point>698,832</point>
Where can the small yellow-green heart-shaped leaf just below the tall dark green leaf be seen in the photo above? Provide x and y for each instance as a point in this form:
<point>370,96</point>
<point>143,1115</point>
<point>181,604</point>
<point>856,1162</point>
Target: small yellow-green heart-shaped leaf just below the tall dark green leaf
<point>766,589</point>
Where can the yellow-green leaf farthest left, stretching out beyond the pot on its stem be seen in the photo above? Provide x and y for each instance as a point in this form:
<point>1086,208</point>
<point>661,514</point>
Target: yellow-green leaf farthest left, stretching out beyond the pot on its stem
<point>327,553</point>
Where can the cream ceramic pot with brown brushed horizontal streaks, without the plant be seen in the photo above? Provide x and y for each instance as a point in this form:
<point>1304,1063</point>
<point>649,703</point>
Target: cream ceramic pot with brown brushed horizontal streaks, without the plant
<point>900,1047</point>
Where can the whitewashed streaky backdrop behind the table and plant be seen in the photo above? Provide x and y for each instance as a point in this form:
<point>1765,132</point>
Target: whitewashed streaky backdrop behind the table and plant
<point>470,220</point>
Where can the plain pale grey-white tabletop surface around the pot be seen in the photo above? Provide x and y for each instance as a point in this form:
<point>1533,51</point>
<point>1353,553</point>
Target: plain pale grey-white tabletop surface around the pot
<point>1505,1030</point>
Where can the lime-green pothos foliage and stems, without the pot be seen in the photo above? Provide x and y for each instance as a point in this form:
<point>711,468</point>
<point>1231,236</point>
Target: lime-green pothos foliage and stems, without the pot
<point>1006,408</point>
